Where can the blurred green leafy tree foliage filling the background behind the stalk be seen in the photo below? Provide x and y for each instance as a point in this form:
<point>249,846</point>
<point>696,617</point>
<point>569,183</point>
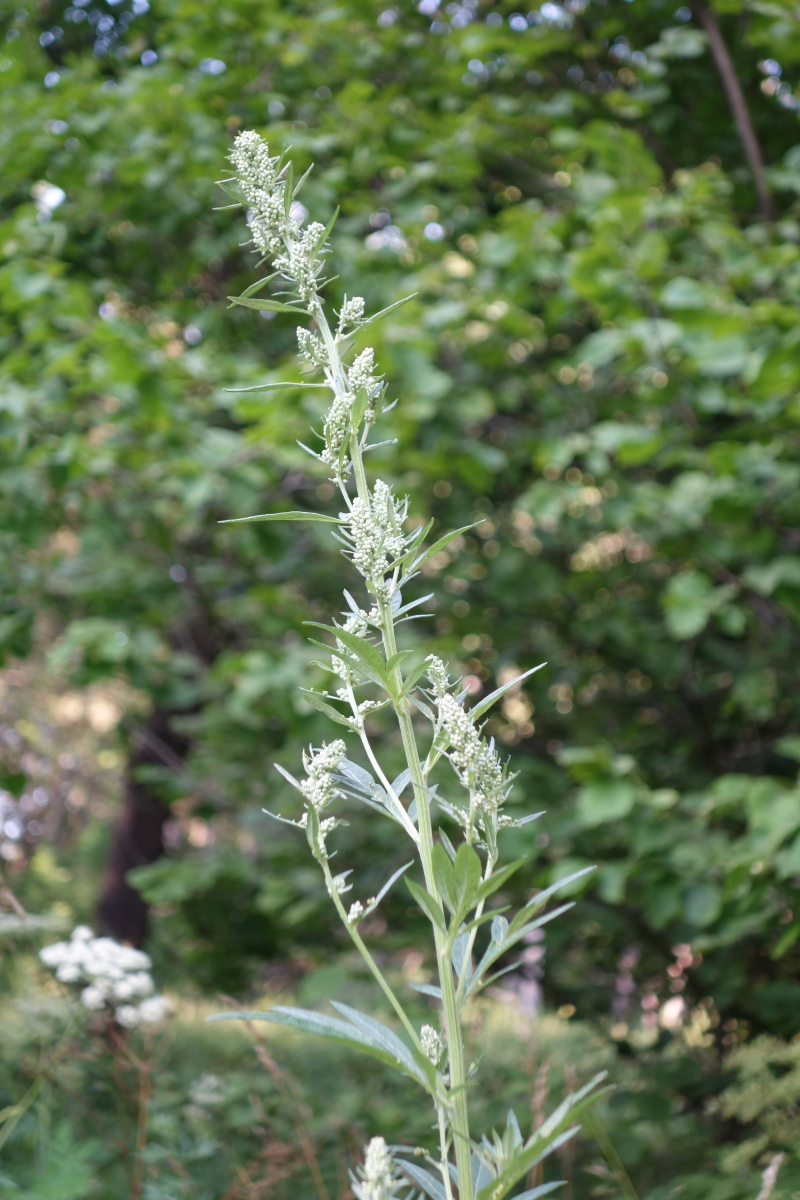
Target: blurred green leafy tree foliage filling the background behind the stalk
<point>600,365</point>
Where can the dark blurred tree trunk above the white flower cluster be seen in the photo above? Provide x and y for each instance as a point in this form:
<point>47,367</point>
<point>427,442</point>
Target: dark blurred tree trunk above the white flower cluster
<point>139,836</point>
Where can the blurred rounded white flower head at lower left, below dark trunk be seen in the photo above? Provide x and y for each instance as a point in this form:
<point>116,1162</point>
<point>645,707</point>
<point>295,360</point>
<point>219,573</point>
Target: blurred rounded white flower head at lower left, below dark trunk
<point>116,976</point>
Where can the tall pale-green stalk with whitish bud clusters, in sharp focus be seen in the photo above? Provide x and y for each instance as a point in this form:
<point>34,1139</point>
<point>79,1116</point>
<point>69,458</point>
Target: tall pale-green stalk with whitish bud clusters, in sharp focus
<point>370,674</point>
